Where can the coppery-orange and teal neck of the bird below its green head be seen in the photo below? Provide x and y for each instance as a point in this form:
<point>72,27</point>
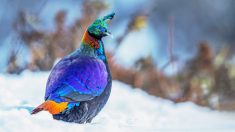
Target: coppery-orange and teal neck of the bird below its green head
<point>92,46</point>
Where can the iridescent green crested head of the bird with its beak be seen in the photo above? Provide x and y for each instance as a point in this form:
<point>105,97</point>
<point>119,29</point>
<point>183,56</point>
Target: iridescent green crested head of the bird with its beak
<point>99,27</point>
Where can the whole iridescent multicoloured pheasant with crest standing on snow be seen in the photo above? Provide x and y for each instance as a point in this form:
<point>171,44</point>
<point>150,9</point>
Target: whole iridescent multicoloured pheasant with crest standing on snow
<point>79,85</point>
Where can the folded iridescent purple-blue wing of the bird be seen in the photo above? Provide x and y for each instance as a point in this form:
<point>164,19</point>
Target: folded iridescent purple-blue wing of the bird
<point>78,79</point>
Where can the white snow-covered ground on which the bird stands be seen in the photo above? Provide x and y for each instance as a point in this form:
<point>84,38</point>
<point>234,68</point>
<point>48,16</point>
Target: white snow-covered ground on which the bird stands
<point>128,110</point>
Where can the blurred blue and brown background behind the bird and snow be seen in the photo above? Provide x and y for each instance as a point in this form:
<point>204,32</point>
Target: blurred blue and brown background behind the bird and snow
<point>181,50</point>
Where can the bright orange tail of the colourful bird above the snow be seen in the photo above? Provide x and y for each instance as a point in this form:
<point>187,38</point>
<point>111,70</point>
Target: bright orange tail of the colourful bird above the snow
<point>51,106</point>
